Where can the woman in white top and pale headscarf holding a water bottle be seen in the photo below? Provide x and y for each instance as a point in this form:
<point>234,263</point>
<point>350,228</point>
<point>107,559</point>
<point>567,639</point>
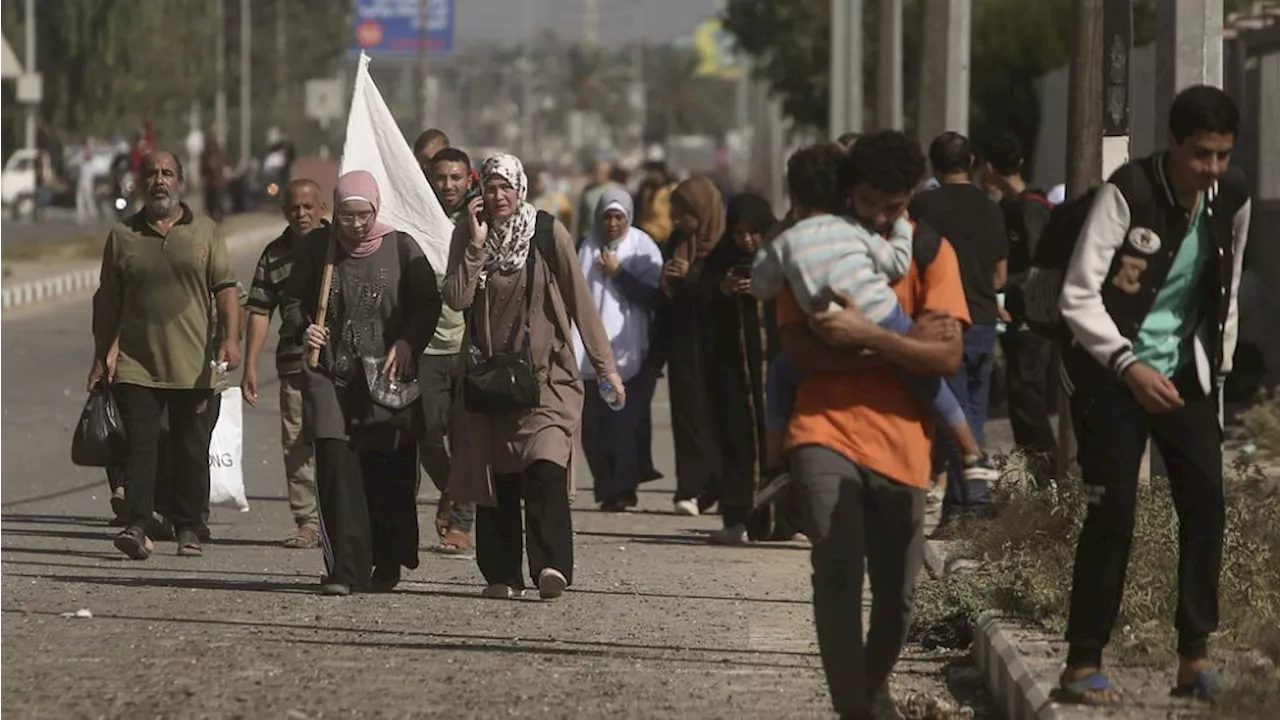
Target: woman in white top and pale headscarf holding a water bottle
<point>623,266</point>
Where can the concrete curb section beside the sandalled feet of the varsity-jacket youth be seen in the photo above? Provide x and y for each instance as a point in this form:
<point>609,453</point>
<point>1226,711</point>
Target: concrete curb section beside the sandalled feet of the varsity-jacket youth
<point>1011,682</point>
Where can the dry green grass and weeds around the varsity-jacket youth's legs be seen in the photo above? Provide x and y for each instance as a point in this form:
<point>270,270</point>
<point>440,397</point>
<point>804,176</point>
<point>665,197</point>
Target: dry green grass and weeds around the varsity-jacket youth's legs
<point>1026,558</point>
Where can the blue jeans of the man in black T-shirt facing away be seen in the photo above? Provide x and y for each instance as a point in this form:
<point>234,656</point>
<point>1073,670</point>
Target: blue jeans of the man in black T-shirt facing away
<point>972,386</point>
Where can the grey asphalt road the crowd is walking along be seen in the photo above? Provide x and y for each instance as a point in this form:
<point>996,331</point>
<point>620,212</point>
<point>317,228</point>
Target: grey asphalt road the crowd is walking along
<point>659,626</point>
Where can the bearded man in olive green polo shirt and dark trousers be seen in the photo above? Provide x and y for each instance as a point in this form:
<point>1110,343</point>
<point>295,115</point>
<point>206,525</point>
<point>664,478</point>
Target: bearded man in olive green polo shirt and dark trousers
<point>157,341</point>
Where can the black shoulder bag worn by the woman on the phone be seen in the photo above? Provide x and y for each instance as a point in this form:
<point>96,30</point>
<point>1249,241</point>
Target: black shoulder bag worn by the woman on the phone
<point>506,384</point>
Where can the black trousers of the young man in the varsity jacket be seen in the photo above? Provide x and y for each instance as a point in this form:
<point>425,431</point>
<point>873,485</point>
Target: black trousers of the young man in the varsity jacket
<point>1113,431</point>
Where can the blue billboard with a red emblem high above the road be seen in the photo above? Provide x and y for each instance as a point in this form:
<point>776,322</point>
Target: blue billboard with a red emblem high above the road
<point>382,28</point>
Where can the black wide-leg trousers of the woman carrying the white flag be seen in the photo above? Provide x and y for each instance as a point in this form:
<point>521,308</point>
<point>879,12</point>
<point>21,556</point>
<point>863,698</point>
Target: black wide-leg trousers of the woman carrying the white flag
<point>368,511</point>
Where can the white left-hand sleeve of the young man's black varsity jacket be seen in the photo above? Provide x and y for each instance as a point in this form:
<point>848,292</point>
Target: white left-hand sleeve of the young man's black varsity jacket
<point>1081,300</point>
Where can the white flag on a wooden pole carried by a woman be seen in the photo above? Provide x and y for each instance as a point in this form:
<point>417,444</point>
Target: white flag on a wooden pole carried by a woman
<point>374,143</point>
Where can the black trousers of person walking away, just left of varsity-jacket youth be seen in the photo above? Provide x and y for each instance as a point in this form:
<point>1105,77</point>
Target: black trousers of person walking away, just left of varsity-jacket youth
<point>1031,362</point>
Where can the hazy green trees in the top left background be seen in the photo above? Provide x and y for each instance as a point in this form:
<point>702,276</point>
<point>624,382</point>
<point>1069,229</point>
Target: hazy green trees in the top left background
<point>111,65</point>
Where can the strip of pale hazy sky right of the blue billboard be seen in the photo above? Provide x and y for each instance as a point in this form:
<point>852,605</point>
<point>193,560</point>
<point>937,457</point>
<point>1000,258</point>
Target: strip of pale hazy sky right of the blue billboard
<point>620,20</point>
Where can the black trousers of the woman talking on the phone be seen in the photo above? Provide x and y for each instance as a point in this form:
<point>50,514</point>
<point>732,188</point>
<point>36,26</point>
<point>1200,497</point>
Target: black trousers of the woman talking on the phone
<point>547,534</point>
